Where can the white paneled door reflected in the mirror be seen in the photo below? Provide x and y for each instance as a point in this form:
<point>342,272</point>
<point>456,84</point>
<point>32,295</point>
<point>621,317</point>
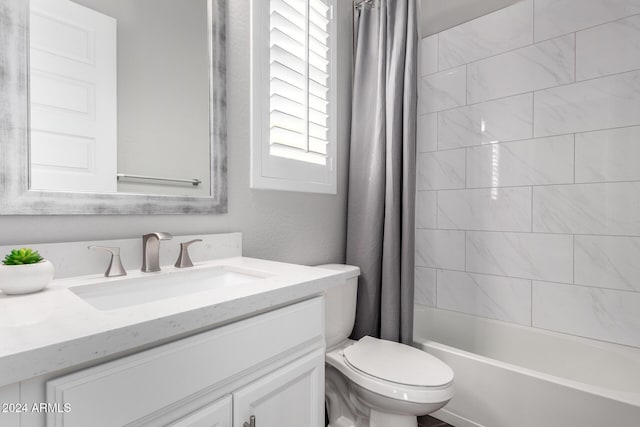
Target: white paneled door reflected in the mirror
<point>73,98</point>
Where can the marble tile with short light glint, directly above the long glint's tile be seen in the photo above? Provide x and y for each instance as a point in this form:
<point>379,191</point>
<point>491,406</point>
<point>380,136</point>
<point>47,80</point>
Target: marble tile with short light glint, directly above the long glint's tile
<point>507,119</point>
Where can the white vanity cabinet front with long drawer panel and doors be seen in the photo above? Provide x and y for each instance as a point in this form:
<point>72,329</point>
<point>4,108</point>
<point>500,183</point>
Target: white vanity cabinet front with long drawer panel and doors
<point>270,366</point>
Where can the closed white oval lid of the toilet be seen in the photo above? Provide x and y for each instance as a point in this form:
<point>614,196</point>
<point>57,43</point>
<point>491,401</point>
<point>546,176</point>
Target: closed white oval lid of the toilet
<point>398,363</point>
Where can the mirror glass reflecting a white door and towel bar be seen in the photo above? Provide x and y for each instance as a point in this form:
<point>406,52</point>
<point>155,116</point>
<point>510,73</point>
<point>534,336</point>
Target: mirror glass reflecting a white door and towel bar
<point>120,96</point>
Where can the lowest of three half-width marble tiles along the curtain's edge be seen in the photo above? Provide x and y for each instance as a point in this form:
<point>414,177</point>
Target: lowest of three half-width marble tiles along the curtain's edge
<point>440,249</point>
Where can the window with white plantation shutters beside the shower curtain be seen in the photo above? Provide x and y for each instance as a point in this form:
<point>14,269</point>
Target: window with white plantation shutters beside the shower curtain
<point>293,107</point>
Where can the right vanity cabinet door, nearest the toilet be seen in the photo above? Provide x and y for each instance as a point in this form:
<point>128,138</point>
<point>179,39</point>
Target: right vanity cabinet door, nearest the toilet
<point>292,396</point>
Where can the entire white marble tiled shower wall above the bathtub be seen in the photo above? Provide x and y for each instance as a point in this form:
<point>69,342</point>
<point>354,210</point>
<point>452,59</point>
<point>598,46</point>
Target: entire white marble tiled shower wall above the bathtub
<point>529,168</point>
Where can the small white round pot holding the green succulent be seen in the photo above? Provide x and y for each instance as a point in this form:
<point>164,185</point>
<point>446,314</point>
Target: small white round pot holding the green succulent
<point>24,279</point>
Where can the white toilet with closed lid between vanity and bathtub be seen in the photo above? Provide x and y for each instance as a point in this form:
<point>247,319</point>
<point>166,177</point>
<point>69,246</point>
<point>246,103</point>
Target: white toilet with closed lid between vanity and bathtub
<point>373,382</point>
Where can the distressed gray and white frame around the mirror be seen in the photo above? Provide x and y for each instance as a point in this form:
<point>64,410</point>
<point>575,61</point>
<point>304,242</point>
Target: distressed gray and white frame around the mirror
<point>15,196</point>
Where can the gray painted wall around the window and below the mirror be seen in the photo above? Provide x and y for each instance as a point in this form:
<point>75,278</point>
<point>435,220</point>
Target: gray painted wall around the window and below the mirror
<point>293,227</point>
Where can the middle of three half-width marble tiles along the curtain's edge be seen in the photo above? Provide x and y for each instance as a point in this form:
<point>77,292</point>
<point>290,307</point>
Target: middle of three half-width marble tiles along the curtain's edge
<point>441,170</point>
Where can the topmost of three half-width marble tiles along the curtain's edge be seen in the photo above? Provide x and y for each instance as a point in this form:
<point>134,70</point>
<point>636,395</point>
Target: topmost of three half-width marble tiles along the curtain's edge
<point>441,91</point>
